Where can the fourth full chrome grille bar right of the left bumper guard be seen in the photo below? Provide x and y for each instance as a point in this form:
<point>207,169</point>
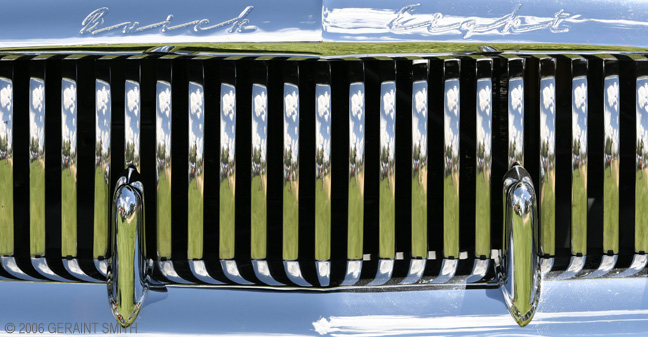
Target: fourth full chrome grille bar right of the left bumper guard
<point>259,177</point>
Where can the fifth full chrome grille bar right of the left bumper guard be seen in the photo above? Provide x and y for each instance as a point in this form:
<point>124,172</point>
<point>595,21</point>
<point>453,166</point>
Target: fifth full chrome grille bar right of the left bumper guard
<point>291,172</point>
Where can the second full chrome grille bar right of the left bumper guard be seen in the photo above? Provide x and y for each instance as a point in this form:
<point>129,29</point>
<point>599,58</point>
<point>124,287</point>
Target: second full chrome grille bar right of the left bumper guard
<point>196,177</point>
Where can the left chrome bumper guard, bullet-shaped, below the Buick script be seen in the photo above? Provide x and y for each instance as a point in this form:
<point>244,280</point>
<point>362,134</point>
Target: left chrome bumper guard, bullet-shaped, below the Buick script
<point>129,270</point>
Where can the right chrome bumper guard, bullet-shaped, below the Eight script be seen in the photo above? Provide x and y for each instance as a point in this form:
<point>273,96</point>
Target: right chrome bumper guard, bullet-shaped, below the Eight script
<point>517,268</point>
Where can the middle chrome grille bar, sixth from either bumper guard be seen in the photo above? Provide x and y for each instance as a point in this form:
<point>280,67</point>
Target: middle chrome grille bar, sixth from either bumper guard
<point>323,173</point>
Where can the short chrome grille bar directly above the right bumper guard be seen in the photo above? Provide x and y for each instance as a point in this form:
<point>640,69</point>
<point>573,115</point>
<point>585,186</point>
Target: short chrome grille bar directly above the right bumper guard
<point>516,121</point>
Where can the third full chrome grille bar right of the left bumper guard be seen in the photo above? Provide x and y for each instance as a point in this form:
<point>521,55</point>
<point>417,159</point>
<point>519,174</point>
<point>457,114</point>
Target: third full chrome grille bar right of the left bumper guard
<point>227,170</point>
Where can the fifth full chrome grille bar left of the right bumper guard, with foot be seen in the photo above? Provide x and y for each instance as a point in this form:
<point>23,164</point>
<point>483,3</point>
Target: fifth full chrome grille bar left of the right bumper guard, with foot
<point>356,181</point>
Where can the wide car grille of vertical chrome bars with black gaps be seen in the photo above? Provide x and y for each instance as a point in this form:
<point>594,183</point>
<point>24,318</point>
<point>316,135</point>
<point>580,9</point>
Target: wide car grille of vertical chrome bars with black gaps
<point>321,172</point>
